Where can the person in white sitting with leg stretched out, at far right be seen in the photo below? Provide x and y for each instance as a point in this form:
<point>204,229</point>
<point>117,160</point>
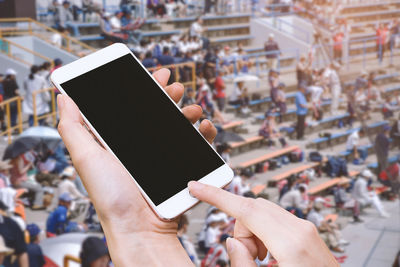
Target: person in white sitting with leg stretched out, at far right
<point>361,195</point>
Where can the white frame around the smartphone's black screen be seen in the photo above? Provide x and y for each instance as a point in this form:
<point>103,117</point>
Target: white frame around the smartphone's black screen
<point>181,201</point>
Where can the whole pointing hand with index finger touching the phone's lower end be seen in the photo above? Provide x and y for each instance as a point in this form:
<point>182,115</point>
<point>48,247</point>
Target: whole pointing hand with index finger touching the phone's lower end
<point>262,225</point>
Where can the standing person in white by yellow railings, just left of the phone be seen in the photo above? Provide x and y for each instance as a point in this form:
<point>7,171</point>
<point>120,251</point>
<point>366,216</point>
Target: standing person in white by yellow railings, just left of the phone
<point>32,84</point>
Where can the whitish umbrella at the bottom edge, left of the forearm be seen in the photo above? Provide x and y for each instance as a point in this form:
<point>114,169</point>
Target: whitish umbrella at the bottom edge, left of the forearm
<point>56,248</point>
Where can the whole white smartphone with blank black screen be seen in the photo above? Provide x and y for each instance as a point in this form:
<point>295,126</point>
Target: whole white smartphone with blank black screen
<point>135,120</point>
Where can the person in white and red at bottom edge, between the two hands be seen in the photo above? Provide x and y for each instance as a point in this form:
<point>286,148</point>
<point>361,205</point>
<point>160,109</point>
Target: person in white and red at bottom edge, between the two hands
<point>217,254</point>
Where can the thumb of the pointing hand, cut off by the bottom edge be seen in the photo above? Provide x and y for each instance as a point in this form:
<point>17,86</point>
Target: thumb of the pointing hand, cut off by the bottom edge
<point>239,254</point>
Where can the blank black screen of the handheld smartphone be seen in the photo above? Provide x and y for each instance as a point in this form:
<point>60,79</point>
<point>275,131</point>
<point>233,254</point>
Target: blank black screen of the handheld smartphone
<point>144,129</point>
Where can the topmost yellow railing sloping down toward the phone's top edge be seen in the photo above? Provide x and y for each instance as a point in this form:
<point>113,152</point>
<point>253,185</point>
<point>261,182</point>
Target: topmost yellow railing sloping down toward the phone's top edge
<point>38,29</point>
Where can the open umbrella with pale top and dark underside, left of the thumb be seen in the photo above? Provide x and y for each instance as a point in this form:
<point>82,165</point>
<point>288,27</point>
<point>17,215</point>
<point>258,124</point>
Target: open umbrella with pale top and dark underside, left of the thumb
<point>40,138</point>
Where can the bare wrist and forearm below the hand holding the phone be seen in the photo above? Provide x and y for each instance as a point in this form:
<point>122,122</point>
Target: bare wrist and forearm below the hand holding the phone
<point>145,249</point>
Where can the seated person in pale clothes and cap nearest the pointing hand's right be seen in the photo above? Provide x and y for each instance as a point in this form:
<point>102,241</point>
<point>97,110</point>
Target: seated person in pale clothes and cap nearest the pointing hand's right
<point>328,230</point>
